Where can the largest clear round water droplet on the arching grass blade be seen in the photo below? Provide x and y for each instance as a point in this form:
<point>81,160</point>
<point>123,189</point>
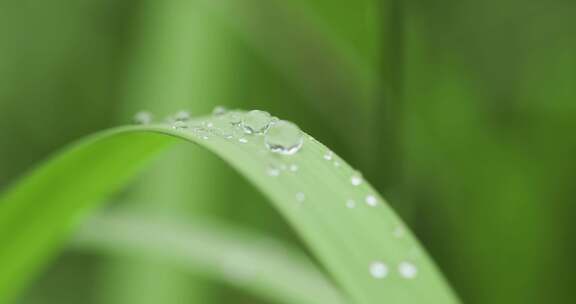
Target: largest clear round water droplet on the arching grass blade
<point>284,137</point>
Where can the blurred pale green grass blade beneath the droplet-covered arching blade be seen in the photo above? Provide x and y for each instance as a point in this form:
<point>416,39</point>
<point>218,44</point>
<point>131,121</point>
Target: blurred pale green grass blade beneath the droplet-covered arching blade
<point>239,258</point>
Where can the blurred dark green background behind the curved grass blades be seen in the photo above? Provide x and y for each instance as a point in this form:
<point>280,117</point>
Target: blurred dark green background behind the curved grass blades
<point>462,113</point>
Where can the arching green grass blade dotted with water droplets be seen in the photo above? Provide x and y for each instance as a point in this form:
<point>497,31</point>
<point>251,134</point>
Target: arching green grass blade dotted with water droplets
<point>315,199</point>
